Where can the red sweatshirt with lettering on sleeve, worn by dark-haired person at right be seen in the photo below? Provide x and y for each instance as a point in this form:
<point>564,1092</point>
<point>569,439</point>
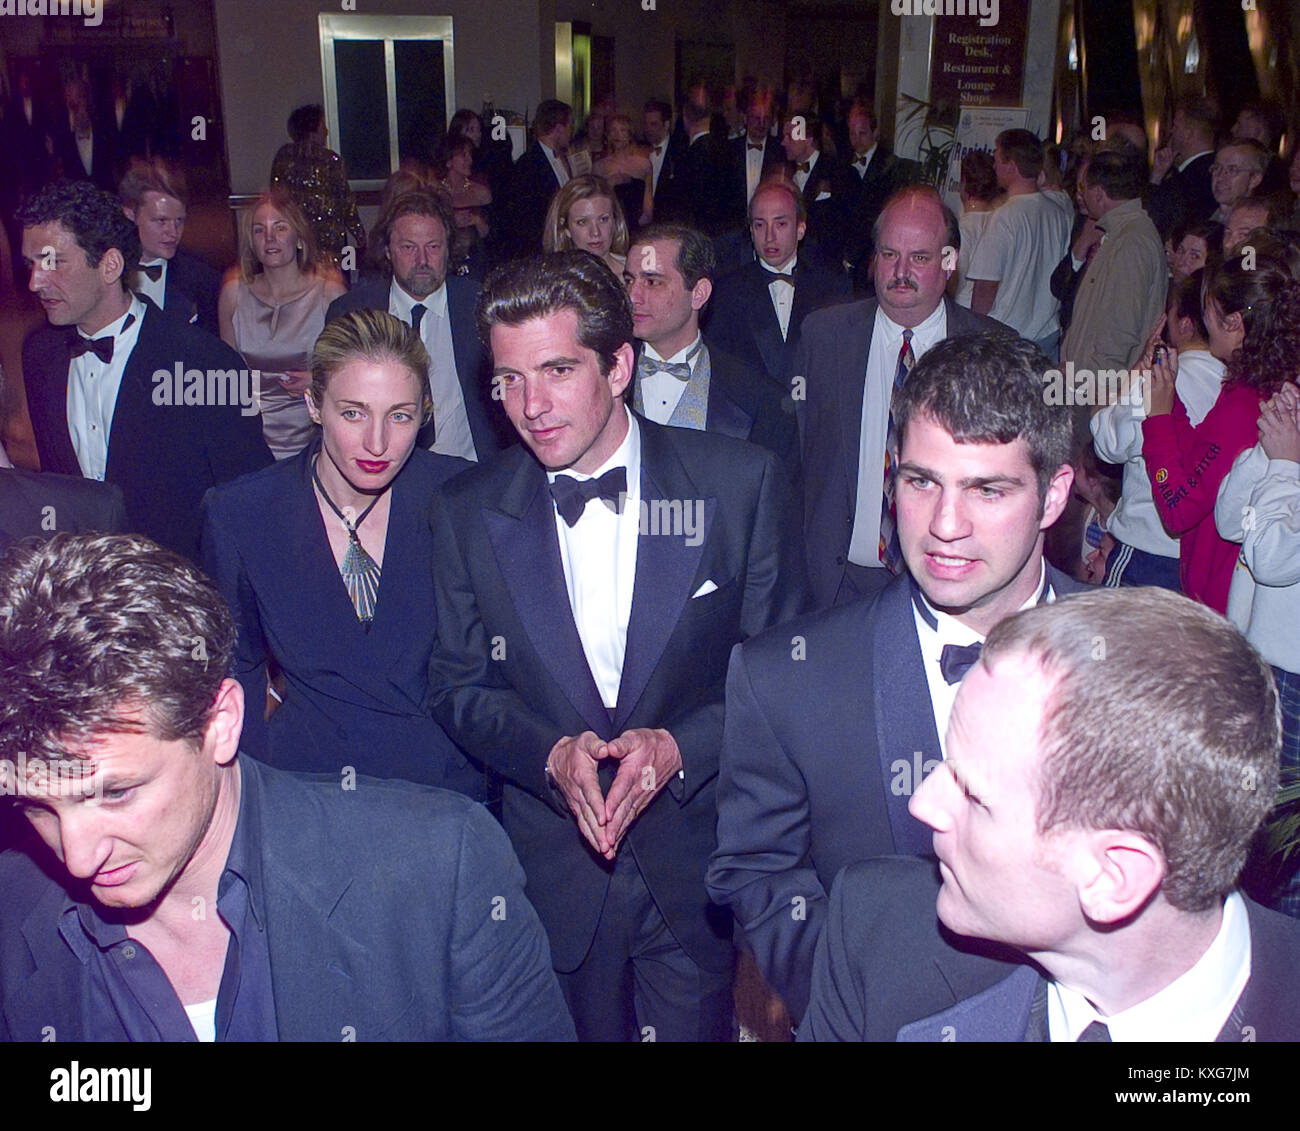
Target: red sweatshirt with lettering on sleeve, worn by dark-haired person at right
<point>1186,467</point>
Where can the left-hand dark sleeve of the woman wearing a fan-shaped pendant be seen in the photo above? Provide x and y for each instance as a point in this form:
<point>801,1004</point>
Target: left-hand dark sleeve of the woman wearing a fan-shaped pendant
<point>220,558</point>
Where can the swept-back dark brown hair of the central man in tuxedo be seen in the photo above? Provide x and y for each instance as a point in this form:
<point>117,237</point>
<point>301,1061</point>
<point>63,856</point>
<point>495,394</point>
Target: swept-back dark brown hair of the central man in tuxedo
<point>517,293</point>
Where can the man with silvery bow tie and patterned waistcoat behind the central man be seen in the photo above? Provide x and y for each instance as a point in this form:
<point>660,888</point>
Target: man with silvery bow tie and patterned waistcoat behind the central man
<point>683,378</point>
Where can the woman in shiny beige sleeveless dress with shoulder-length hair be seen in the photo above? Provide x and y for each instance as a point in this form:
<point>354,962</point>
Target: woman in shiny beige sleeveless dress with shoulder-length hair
<point>272,309</point>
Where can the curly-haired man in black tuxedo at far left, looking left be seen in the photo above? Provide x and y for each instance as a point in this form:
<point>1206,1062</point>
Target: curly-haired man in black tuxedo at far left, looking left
<point>110,387</point>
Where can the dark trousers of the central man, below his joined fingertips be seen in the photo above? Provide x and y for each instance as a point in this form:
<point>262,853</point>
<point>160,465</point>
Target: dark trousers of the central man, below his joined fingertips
<point>636,983</point>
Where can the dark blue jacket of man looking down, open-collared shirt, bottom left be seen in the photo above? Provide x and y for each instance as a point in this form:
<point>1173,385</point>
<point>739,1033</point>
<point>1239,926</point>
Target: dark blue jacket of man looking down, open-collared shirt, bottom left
<point>379,918</point>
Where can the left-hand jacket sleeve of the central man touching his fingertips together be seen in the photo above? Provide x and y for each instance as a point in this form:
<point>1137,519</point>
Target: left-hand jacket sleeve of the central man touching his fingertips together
<point>469,694</point>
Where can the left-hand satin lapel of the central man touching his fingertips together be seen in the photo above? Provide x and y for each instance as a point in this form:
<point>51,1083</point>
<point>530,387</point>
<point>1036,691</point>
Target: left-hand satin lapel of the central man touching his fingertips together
<point>528,556</point>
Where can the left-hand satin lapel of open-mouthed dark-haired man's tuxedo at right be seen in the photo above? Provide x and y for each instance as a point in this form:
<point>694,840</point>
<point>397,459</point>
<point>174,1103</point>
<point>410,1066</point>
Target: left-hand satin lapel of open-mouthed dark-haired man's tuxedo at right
<point>905,720</point>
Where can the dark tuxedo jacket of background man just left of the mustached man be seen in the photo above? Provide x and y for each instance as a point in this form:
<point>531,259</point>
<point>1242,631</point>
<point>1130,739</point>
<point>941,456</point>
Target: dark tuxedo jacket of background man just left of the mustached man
<point>742,320</point>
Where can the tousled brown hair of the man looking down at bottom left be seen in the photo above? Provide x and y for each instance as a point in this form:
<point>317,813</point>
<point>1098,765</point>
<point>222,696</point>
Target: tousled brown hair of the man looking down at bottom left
<point>98,626</point>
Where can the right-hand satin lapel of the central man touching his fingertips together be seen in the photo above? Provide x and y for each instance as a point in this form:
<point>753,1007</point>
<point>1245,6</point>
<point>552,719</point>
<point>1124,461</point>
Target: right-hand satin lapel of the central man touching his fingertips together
<point>666,571</point>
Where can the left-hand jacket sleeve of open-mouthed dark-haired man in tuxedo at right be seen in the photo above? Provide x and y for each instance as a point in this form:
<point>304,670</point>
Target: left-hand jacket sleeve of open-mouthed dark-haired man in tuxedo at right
<point>762,868</point>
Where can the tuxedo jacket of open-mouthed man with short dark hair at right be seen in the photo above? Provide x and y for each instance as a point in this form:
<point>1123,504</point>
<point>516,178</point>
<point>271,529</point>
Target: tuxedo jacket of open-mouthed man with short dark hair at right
<point>820,760</point>
